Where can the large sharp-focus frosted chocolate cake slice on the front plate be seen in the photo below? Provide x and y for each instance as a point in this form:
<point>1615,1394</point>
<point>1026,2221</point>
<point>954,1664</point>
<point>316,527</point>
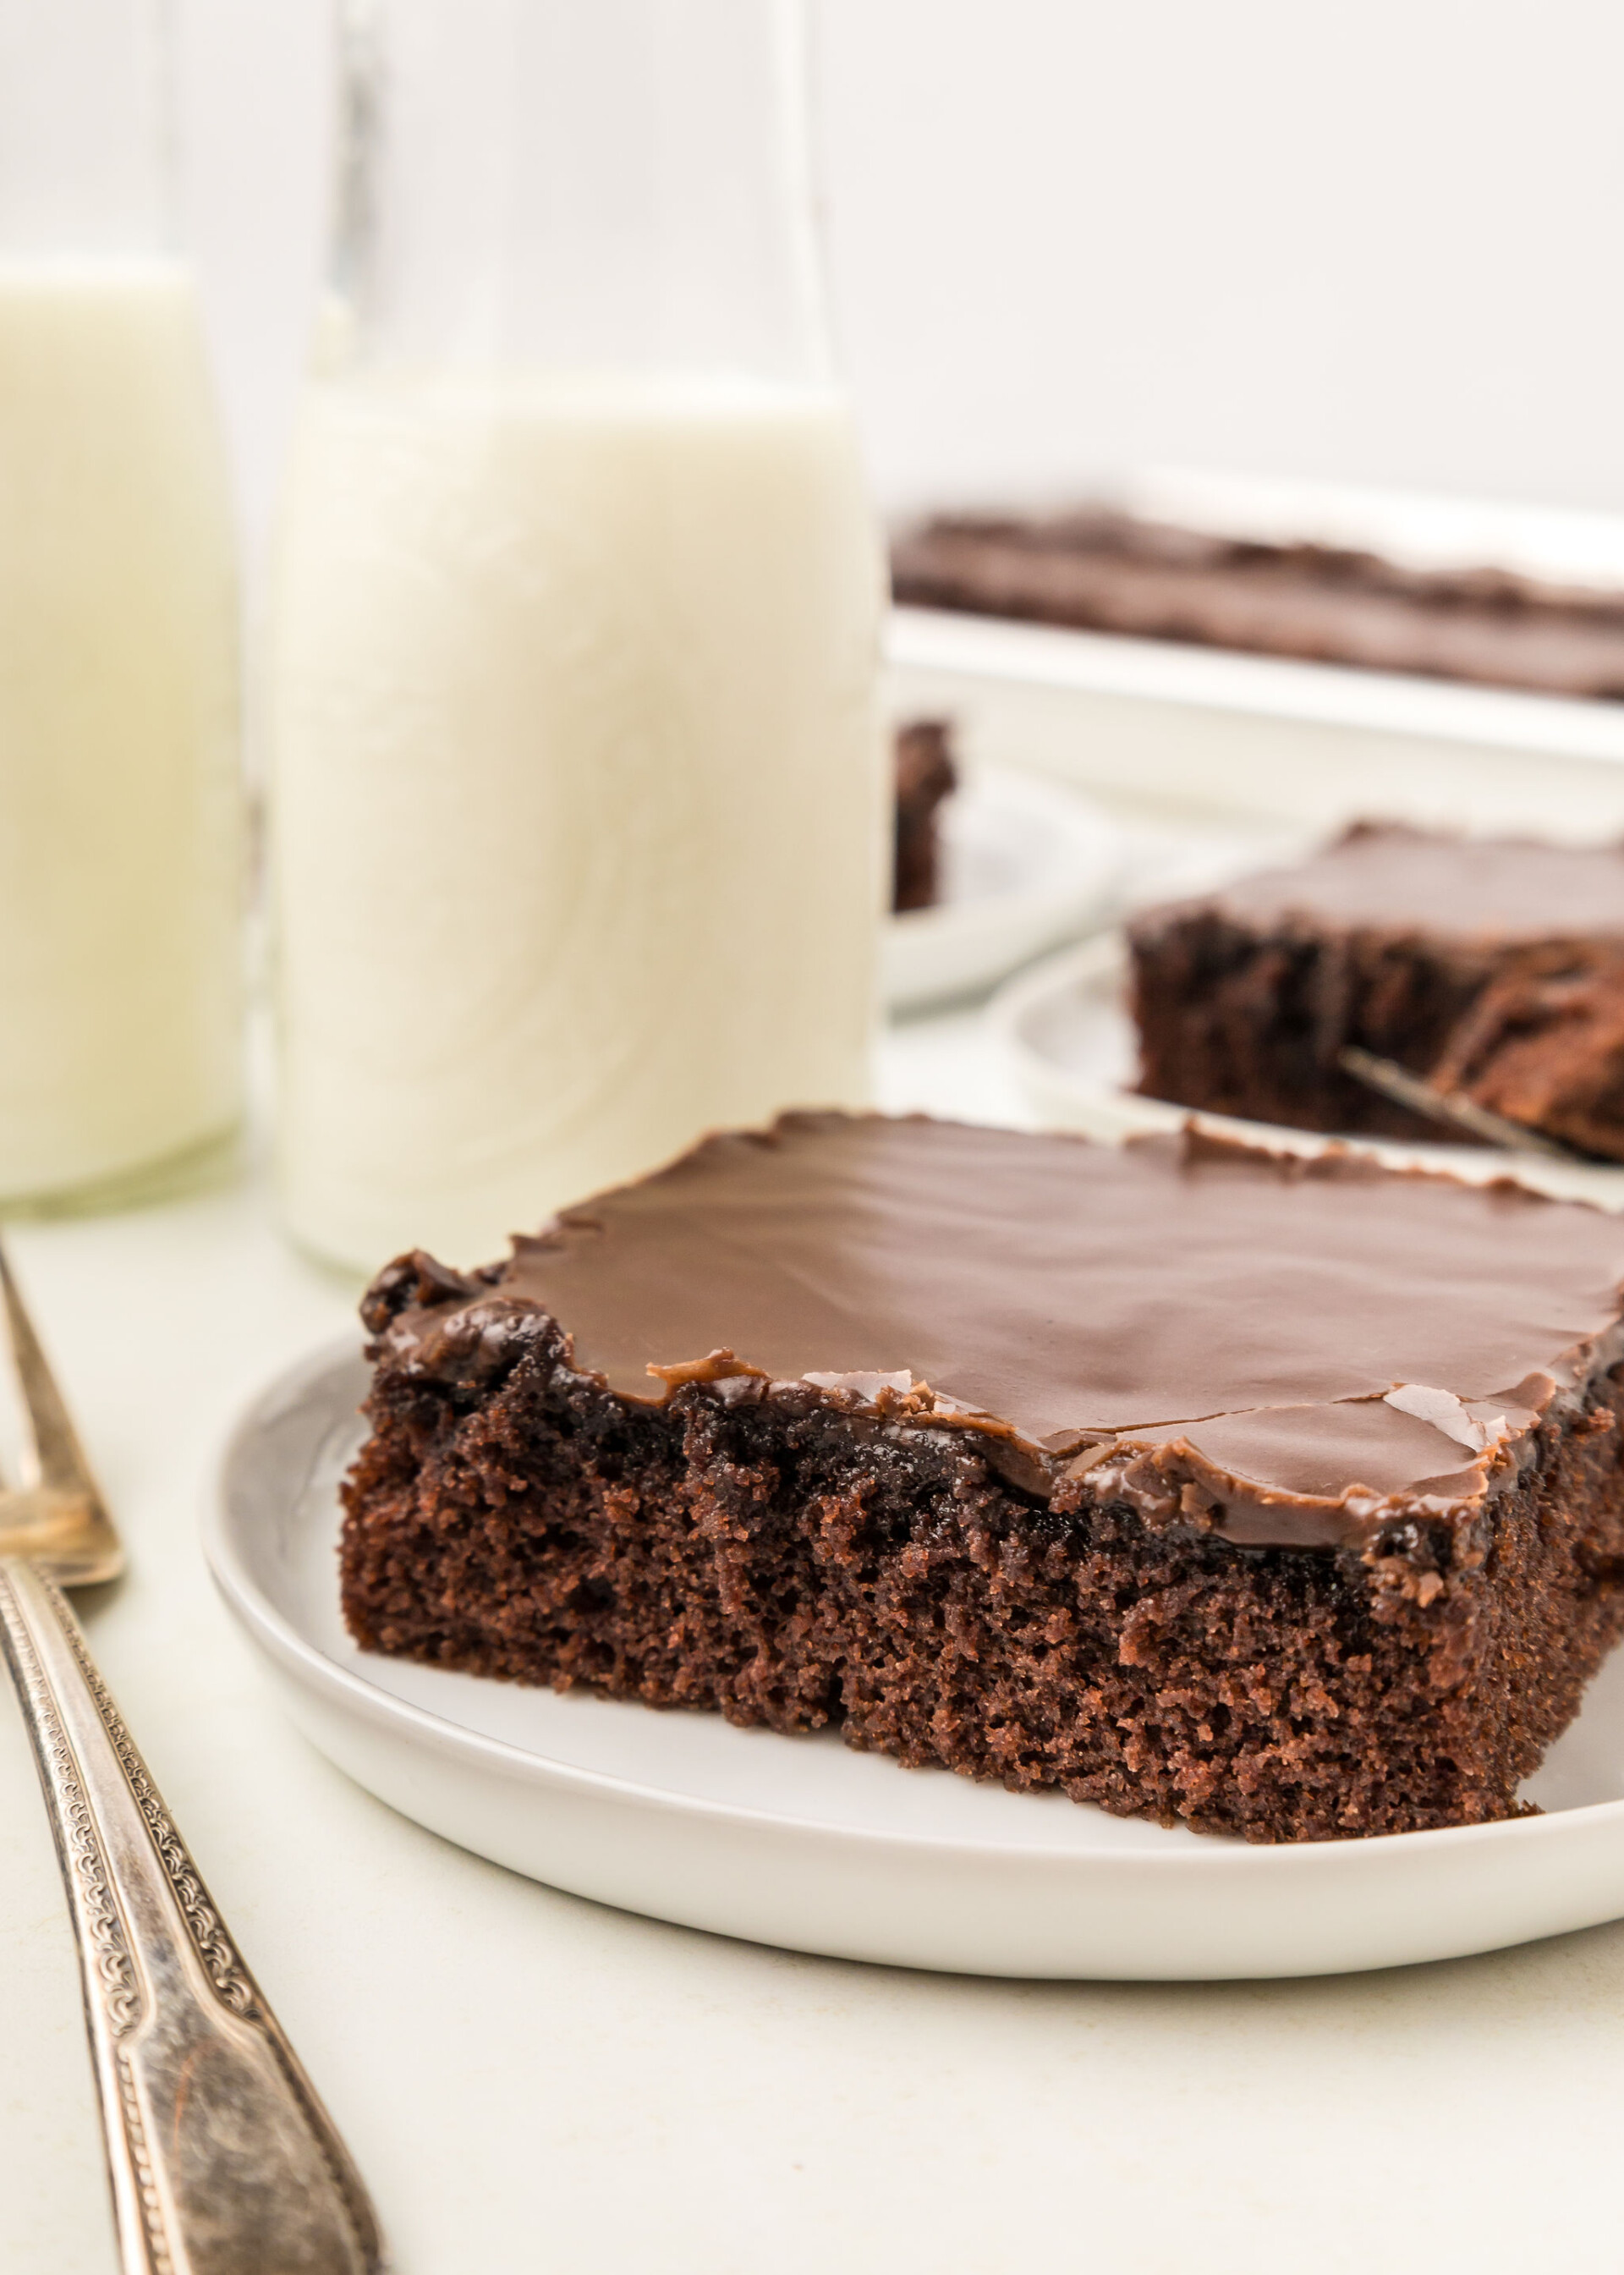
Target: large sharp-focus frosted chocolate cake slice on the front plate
<point>1195,1482</point>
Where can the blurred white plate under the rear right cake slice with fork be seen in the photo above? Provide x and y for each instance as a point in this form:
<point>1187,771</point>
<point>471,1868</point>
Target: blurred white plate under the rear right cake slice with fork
<point>1070,1041</point>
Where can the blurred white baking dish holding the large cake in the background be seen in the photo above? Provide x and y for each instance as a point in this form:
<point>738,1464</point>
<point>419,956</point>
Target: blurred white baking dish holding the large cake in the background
<point>1207,734</point>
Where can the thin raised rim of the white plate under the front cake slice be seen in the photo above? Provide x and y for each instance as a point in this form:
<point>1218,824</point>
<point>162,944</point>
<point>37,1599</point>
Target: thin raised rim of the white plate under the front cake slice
<point>279,1639</point>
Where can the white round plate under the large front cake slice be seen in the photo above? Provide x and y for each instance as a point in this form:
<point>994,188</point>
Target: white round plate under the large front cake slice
<point>804,1844</point>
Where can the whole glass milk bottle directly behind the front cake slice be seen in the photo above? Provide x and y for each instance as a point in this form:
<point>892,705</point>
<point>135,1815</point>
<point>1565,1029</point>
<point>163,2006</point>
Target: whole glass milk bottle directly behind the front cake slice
<point>577,795</point>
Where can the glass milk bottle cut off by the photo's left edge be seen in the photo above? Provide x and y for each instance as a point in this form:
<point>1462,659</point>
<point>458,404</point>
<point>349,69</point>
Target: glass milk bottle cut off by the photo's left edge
<point>119,822</point>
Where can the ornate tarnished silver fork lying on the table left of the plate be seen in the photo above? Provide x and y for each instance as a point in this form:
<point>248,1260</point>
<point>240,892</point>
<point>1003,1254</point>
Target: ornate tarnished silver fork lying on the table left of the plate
<point>219,2151</point>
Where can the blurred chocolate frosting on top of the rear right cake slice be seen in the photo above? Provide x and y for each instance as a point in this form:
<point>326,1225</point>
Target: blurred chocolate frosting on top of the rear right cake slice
<point>1398,879</point>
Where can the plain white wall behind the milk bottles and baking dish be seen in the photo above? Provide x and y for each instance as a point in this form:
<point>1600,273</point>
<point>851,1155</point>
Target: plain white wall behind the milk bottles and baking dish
<point>1373,242</point>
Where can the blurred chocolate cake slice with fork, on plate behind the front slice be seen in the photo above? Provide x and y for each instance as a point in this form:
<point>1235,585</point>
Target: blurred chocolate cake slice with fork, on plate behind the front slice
<point>1491,968</point>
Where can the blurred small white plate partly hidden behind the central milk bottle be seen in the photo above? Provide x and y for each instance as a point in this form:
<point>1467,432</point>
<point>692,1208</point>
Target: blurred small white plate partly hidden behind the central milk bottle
<point>1025,863</point>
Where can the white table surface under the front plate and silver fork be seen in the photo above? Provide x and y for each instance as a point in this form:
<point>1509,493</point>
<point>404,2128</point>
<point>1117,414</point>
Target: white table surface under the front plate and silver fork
<point>536,2083</point>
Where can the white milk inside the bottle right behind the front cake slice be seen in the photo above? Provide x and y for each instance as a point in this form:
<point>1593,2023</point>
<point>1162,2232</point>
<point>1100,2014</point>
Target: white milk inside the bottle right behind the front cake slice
<point>577,793</point>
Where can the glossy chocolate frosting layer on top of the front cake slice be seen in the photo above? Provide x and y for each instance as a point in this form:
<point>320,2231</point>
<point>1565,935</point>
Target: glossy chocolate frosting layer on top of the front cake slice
<point>1277,1348</point>
